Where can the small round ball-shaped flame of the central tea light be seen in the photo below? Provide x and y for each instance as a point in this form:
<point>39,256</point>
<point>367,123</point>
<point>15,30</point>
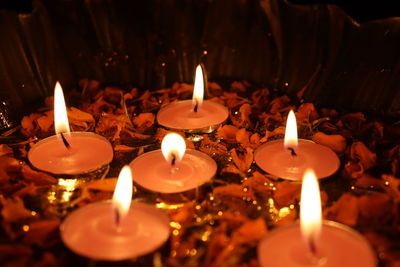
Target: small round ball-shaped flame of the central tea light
<point>173,148</point>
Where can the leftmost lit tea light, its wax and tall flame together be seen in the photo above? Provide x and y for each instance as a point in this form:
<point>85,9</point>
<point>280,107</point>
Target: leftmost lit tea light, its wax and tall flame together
<point>69,153</point>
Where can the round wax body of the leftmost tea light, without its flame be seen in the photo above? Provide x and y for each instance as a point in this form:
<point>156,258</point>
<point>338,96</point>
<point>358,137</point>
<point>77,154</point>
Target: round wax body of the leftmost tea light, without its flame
<point>88,152</point>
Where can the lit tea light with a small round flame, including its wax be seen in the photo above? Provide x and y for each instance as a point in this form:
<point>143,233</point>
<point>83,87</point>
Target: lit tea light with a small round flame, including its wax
<point>173,169</point>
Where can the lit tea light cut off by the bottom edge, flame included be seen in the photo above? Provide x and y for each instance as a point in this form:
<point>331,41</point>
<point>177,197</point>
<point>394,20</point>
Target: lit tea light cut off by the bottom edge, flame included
<point>313,242</point>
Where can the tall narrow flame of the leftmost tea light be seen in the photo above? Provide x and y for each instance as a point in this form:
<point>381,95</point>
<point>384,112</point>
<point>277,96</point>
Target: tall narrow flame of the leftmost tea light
<point>60,111</point>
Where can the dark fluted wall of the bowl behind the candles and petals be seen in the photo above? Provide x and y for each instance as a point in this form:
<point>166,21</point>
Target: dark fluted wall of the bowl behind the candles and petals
<point>150,44</point>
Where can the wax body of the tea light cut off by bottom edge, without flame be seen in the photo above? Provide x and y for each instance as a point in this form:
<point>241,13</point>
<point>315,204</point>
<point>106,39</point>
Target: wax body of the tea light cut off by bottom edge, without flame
<point>339,246</point>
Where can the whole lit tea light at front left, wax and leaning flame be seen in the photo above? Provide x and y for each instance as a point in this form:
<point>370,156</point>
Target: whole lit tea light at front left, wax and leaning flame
<point>116,230</point>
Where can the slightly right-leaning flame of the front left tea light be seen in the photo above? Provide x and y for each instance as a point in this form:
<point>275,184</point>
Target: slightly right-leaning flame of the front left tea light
<point>122,196</point>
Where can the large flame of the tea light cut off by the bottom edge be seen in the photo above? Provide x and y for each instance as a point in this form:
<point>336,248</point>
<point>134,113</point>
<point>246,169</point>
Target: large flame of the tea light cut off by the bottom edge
<point>310,209</point>
